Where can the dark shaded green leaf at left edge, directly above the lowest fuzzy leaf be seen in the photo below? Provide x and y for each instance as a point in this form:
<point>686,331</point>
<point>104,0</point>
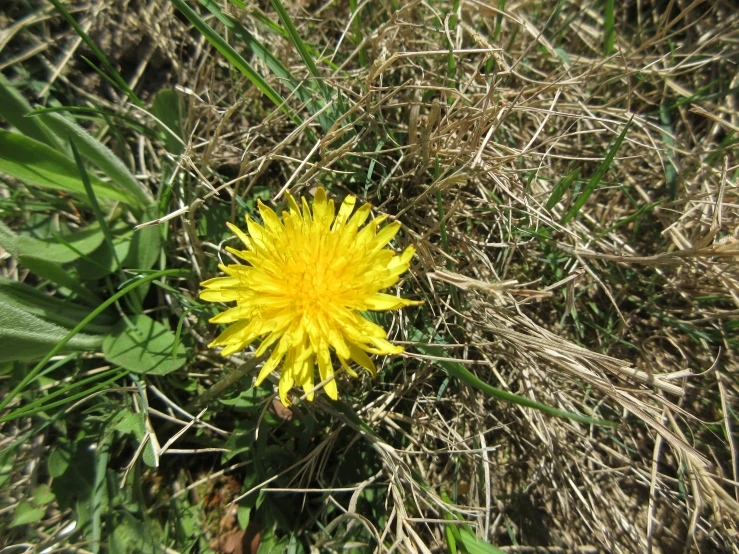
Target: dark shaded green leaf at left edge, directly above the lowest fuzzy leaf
<point>51,308</point>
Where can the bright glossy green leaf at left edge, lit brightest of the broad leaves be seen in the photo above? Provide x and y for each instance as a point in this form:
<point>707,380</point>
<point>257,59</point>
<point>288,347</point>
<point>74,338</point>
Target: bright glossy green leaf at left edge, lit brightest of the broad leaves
<point>38,164</point>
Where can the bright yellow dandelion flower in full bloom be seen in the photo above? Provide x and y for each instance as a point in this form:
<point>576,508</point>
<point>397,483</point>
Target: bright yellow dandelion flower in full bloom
<point>308,277</point>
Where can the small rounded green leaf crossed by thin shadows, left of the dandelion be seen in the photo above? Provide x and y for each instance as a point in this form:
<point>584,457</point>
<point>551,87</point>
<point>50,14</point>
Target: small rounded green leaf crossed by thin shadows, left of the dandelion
<point>145,348</point>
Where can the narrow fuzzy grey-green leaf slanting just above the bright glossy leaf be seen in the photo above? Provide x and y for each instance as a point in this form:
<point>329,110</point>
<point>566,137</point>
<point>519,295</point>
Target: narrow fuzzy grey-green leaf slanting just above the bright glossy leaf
<point>96,152</point>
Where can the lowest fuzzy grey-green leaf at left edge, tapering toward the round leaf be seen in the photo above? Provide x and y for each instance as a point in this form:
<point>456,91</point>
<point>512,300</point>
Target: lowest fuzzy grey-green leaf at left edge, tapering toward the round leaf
<point>23,336</point>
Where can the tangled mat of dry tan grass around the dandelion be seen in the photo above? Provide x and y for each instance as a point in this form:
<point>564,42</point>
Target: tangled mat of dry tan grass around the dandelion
<point>626,311</point>
